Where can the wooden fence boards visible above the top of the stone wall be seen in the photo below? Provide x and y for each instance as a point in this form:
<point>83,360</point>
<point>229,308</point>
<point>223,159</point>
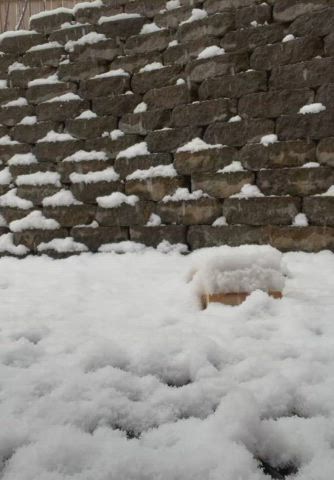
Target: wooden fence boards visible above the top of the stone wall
<point>11,11</point>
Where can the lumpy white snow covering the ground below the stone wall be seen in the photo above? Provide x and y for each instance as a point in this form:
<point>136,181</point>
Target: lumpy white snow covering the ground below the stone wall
<point>110,371</point>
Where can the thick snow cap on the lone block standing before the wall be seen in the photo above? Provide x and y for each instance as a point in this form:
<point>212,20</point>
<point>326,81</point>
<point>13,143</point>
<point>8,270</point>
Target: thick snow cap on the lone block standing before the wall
<point>239,270</point>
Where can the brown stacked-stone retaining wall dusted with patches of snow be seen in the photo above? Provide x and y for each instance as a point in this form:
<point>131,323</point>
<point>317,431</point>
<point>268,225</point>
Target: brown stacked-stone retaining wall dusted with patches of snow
<point>164,89</point>
